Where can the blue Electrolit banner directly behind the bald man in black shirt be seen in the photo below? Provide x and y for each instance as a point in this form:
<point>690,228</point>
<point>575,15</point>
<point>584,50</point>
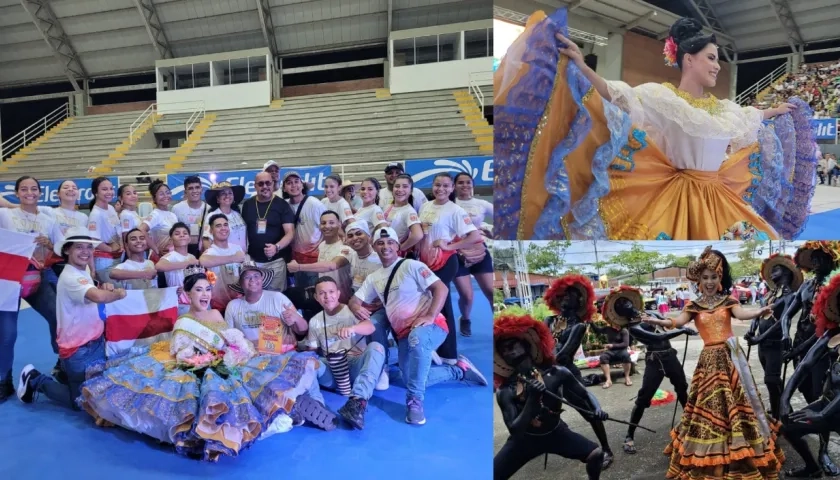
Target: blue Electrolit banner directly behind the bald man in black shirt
<point>316,175</point>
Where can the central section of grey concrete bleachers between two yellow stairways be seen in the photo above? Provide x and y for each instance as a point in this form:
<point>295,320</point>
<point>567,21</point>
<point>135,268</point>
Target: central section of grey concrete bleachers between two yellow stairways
<point>354,128</point>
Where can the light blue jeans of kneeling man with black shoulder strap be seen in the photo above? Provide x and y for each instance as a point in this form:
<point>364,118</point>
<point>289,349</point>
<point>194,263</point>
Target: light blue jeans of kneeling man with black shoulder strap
<point>415,352</point>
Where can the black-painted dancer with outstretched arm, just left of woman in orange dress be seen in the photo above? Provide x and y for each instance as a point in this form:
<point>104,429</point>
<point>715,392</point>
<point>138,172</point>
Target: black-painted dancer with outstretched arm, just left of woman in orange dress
<point>623,307</point>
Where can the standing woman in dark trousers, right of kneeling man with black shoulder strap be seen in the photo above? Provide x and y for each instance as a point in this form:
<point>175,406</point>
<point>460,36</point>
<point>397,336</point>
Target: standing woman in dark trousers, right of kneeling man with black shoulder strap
<point>447,228</point>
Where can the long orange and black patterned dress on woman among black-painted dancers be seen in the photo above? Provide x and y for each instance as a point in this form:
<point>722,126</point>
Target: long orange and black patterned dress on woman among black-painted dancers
<point>724,432</point>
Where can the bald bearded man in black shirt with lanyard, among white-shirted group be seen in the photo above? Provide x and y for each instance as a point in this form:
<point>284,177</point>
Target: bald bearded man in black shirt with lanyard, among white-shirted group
<point>270,225</point>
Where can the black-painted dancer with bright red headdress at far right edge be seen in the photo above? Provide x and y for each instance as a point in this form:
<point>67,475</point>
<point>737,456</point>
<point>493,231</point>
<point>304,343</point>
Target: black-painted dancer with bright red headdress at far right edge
<point>821,416</point>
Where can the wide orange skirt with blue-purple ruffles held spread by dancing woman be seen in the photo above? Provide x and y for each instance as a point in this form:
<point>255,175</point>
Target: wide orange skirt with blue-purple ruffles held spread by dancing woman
<point>569,165</point>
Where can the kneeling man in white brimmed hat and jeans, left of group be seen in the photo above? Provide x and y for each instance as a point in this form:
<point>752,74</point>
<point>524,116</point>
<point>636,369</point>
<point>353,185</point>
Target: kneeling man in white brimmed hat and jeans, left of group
<point>80,333</point>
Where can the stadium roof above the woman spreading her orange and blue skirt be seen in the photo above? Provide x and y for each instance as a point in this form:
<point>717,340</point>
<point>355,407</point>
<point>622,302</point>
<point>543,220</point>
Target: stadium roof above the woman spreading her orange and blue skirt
<point>742,25</point>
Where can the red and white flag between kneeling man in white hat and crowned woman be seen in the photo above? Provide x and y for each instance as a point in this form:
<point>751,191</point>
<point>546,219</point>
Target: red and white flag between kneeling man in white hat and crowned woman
<point>143,317</point>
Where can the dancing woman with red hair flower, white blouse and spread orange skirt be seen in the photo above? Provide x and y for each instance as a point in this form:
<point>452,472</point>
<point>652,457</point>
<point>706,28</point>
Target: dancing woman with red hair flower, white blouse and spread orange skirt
<point>580,157</point>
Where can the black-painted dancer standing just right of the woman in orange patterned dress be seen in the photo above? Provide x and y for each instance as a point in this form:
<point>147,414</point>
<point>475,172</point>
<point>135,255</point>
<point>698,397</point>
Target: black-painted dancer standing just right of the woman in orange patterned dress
<point>784,279</point>
